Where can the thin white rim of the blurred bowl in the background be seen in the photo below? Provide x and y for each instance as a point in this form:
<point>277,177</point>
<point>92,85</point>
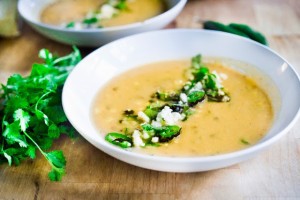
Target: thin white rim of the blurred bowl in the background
<point>179,5</point>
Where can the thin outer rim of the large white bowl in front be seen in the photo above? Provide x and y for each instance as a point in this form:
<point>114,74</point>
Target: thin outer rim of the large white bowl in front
<point>186,159</point>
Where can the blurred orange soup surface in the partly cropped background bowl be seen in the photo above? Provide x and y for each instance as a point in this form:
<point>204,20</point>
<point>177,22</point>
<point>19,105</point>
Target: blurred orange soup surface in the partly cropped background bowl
<point>138,11</point>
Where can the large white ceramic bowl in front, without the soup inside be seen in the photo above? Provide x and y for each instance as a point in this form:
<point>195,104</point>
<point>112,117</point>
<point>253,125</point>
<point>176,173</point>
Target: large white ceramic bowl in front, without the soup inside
<point>99,67</point>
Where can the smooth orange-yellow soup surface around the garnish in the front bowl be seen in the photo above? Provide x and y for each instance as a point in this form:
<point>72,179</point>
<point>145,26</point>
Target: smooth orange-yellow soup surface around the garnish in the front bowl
<point>214,128</point>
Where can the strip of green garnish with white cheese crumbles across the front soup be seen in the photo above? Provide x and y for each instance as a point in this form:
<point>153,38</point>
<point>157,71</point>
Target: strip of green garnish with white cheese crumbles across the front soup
<point>157,122</point>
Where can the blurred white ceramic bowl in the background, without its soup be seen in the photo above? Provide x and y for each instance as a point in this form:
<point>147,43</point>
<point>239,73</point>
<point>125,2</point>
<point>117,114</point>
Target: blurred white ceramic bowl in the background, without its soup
<point>30,11</point>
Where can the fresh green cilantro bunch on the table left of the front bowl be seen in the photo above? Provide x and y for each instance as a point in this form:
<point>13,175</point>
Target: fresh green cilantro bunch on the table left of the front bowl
<point>31,112</point>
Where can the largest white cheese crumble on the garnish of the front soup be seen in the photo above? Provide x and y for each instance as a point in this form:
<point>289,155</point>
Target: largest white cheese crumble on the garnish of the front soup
<point>169,117</point>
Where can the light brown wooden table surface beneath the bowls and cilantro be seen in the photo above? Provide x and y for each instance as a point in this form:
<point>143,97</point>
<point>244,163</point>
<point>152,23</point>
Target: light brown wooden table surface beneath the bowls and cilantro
<point>91,174</point>
